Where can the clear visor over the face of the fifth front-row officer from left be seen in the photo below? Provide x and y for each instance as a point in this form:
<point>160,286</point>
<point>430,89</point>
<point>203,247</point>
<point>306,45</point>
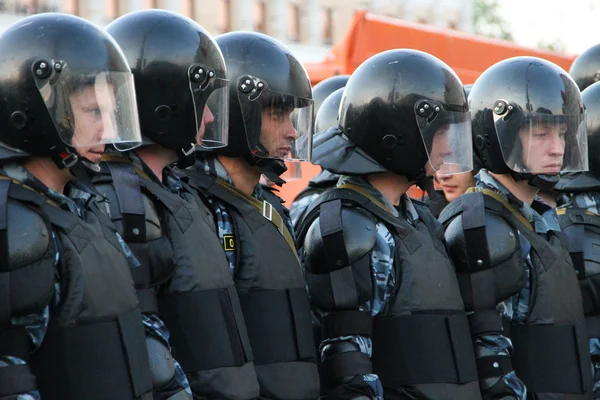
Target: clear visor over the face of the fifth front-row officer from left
<point>542,143</point>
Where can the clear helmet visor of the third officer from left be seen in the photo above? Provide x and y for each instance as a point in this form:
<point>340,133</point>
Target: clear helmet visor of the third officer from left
<point>277,125</point>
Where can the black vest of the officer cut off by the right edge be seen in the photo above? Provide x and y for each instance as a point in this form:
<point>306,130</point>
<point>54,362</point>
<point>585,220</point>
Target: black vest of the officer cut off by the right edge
<point>582,228</point>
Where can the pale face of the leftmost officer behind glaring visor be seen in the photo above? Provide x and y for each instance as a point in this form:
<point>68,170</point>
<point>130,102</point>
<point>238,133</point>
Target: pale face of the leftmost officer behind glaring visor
<point>93,111</point>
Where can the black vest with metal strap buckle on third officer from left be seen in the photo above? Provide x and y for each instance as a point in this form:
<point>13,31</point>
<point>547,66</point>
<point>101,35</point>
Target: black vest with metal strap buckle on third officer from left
<point>271,289</point>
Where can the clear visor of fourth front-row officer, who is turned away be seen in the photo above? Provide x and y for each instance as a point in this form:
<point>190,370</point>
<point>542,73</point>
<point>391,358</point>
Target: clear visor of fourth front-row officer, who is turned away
<point>447,137</point>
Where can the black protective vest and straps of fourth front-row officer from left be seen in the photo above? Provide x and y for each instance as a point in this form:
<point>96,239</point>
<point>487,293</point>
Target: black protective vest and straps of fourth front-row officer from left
<point>421,341</point>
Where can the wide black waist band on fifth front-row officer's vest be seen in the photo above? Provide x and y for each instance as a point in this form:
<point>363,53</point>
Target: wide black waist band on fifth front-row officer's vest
<point>548,357</point>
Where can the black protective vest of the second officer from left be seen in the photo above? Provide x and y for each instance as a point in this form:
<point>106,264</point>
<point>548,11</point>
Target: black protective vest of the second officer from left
<point>197,299</point>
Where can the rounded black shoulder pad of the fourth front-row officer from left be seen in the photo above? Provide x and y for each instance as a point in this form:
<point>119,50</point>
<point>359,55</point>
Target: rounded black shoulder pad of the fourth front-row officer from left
<point>360,235</point>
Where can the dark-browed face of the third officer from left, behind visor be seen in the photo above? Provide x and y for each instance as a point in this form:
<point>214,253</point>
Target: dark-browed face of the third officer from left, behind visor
<point>278,133</point>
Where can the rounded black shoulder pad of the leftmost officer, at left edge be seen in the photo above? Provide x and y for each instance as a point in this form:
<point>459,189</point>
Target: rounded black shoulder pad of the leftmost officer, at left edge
<point>28,235</point>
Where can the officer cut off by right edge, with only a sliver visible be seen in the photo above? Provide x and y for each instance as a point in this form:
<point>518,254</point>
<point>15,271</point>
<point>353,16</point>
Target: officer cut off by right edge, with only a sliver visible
<point>579,219</point>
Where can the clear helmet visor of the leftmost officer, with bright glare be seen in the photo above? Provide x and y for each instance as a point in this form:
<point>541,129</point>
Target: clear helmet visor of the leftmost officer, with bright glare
<point>91,108</point>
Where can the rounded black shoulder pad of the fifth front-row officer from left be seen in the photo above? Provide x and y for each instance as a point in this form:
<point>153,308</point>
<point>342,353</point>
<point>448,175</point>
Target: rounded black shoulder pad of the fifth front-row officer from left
<point>502,240</point>
